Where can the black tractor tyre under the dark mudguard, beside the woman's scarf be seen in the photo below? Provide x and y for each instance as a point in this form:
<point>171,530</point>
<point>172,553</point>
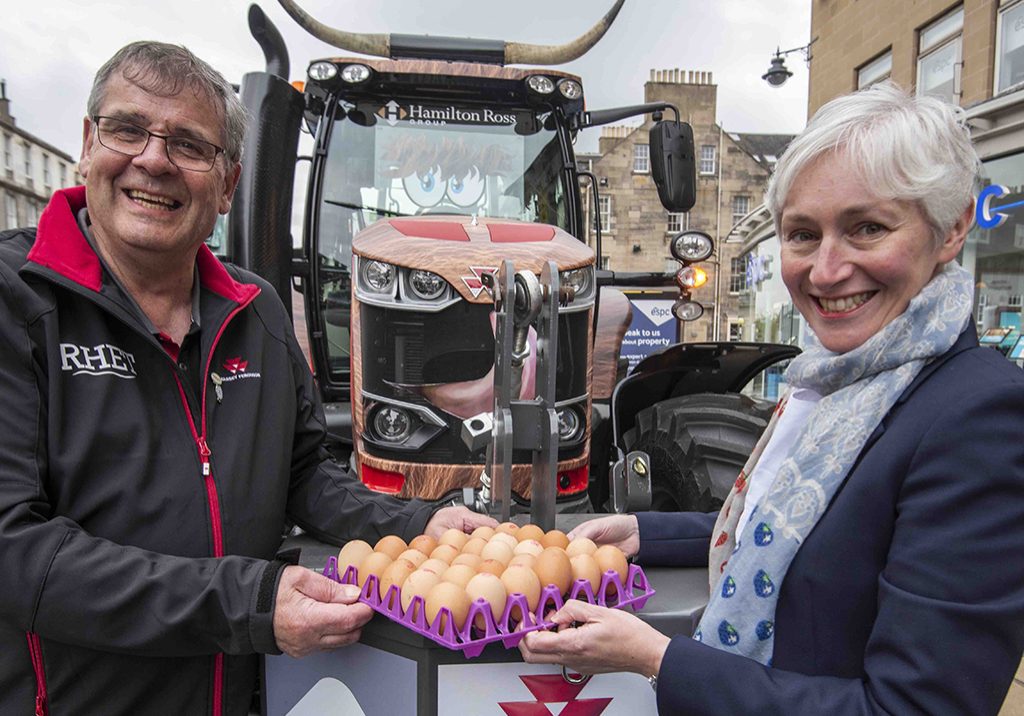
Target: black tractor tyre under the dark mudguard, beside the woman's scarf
<point>698,446</point>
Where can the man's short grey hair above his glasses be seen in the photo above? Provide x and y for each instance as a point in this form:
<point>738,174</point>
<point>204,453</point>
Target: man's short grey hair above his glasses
<point>165,70</point>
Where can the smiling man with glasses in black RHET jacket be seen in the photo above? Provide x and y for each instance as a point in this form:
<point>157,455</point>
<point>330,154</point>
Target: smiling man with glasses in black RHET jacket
<point>160,426</point>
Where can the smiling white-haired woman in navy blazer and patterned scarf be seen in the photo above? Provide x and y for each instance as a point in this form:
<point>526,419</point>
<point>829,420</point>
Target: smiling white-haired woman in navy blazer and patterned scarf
<point>869,558</point>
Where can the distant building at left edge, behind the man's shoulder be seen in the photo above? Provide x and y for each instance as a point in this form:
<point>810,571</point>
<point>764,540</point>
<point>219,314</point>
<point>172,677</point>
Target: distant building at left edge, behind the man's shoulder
<point>31,172</point>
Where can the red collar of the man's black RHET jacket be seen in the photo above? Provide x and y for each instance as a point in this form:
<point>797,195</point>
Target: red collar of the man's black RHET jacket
<point>61,247</point>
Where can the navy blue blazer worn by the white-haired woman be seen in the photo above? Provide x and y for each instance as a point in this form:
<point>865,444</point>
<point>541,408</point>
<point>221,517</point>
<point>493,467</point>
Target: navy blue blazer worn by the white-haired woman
<point>908,597</point>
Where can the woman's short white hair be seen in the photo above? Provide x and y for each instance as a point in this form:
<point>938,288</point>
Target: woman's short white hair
<point>905,148</point>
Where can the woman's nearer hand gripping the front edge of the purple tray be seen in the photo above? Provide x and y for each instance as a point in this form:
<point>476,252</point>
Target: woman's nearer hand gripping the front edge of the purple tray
<point>603,641</point>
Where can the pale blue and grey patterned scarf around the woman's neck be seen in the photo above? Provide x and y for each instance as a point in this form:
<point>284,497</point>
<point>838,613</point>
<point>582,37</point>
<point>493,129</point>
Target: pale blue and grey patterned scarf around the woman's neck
<point>859,389</point>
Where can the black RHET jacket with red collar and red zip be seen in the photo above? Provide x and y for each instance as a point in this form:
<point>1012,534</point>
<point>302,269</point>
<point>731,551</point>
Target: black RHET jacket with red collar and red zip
<point>139,520</point>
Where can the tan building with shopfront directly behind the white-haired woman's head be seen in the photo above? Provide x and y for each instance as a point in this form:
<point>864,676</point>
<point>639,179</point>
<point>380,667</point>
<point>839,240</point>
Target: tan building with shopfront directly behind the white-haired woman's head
<point>969,54</point>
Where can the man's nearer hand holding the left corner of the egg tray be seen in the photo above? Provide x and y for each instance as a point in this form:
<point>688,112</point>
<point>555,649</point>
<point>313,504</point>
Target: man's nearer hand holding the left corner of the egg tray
<point>315,614</point>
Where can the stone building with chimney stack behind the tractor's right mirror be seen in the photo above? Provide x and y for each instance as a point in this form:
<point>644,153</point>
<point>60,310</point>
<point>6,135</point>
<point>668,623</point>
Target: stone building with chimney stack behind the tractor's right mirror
<point>733,172</point>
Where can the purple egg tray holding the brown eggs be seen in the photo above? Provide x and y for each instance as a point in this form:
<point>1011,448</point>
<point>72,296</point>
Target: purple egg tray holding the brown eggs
<point>472,641</point>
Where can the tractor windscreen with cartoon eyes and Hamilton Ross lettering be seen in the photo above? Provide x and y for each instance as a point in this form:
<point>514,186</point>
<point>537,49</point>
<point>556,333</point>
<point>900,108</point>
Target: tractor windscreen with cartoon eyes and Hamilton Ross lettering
<point>414,159</point>
